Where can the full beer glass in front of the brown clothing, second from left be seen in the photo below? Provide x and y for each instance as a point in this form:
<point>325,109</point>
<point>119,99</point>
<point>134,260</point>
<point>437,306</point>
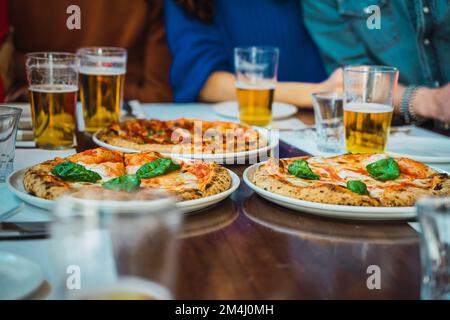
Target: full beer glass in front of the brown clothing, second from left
<point>102,78</point>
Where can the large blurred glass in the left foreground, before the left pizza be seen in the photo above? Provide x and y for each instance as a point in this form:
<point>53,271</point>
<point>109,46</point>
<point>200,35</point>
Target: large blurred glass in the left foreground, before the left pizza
<point>116,249</point>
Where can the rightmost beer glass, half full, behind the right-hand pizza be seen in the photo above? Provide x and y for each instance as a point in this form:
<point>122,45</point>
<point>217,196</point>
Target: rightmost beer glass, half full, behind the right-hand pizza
<point>368,107</point>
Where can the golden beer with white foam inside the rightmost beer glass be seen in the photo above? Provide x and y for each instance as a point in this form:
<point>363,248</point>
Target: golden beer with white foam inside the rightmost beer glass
<point>367,127</point>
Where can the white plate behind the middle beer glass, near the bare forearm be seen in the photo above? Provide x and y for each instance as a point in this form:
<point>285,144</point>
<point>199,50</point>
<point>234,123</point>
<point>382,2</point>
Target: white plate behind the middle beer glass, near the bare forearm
<point>230,109</point>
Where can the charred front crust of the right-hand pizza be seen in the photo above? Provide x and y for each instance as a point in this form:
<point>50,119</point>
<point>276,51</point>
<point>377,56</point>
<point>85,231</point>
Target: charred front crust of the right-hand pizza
<point>332,193</point>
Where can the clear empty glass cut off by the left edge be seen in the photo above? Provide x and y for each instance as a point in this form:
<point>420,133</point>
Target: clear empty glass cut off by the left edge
<point>9,121</point>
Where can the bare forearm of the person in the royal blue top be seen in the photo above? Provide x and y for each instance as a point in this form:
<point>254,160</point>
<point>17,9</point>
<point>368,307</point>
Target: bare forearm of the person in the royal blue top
<point>220,86</point>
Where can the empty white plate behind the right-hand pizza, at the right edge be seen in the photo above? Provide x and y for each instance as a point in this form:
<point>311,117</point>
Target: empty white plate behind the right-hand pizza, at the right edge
<point>424,149</point>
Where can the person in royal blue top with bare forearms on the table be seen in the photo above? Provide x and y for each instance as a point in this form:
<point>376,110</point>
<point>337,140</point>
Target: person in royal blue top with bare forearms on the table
<point>202,36</point>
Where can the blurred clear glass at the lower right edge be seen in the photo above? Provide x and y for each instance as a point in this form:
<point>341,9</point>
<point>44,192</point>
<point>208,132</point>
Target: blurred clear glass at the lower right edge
<point>434,217</point>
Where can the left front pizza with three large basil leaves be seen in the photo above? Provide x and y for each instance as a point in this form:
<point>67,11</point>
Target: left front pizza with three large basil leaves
<point>124,173</point>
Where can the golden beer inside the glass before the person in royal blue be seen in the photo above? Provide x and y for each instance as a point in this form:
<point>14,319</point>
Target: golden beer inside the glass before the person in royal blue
<point>255,104</point>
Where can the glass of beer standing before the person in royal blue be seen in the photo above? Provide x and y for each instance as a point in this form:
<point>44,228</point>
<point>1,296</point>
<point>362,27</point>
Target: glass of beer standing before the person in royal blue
<point>256,76</point>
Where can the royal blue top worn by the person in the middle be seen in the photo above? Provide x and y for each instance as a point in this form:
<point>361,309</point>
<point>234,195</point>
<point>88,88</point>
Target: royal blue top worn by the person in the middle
<point>198,48</point>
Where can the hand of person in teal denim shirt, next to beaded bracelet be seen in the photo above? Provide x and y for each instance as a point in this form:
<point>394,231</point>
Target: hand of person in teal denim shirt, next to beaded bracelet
<point>433,103</point>
